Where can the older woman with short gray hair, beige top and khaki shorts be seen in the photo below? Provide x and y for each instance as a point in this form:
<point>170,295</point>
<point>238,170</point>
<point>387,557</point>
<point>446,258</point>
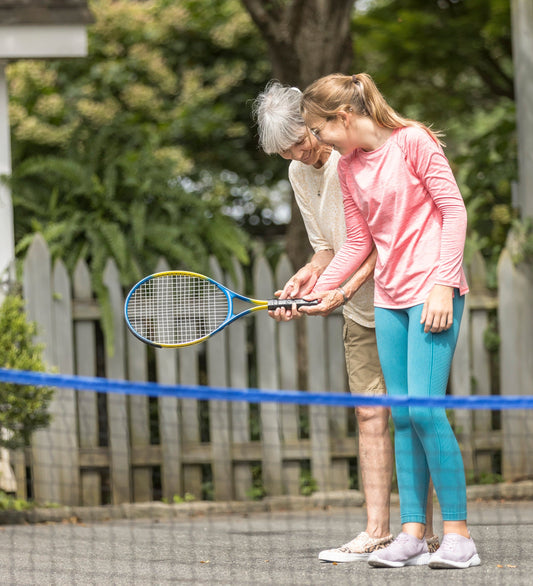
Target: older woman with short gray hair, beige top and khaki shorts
<point>314,179</point>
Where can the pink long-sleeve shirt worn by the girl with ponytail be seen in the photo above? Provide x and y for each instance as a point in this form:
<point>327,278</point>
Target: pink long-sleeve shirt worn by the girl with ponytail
<point>404,197</point>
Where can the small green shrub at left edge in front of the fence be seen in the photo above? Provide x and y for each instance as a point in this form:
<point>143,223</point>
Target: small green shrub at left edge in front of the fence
<point>23,408</point>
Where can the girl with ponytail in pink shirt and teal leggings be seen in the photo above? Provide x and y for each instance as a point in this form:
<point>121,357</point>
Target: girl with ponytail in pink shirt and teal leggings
<point>400,193</point>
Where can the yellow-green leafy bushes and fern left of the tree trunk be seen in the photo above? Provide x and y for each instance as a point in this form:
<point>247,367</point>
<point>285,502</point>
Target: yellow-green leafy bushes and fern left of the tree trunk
<point>125,154</point>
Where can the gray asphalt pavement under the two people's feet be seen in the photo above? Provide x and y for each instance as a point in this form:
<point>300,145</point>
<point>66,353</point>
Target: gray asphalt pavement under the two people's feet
<point>244,545</point>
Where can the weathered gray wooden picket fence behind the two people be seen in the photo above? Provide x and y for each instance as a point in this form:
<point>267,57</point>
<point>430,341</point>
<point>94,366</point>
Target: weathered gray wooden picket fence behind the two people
<point>118,448</point>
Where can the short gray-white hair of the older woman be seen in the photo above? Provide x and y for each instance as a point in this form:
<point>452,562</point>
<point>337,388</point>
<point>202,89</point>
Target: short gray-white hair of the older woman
<point>277,112</point>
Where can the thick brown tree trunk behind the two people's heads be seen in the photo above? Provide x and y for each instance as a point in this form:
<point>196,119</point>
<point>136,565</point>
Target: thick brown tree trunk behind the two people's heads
<point>306,39</point>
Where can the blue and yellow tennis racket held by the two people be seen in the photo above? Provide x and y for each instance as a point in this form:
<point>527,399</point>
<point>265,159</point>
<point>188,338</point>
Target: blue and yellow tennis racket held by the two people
<point>179,308</point>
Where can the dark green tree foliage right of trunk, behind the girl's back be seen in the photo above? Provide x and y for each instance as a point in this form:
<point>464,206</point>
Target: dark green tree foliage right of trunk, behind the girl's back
<point>449,63</point>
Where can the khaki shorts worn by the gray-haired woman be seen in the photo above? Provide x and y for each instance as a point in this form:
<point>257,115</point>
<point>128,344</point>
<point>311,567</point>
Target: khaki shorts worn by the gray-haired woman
<point>362,360</point>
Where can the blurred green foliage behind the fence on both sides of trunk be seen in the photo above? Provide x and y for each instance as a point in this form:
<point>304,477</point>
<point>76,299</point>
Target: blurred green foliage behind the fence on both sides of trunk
<point>146,148</point>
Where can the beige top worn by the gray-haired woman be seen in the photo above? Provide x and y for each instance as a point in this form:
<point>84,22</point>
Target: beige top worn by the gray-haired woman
<point>319,197</point>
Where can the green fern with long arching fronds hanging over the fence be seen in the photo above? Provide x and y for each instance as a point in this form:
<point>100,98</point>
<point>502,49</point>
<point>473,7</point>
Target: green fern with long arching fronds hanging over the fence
<point>140,216</point>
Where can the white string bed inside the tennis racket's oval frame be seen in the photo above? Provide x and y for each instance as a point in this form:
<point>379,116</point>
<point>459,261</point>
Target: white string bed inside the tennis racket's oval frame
<point>177,309</point>
